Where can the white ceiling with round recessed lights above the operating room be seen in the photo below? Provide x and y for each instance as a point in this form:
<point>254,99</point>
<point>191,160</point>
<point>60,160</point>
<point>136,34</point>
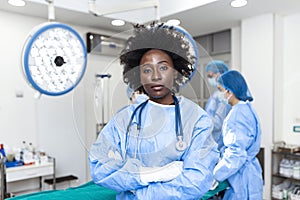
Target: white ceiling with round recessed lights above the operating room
<point>198,20</point>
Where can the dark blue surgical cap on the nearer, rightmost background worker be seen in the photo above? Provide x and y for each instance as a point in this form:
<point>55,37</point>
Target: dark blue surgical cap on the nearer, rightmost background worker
<point>234,81</point>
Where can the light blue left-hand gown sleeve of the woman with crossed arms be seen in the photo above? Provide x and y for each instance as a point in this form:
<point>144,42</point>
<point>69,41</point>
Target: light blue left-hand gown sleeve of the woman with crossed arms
<point>108,167</point>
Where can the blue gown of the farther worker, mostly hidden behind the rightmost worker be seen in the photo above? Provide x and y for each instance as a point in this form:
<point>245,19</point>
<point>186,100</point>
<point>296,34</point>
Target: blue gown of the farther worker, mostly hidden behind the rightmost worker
<point>217,110</point>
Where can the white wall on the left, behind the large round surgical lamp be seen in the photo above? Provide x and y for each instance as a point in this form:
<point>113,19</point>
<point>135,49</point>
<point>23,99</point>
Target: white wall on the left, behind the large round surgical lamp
<point>64,126</point>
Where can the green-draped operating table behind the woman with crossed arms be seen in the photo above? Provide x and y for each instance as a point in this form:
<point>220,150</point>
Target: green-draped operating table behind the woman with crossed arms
<point>91,191</point>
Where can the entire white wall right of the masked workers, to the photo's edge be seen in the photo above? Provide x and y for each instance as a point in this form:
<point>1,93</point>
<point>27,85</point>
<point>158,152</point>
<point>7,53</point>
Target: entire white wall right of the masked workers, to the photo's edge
<point>270,62</point>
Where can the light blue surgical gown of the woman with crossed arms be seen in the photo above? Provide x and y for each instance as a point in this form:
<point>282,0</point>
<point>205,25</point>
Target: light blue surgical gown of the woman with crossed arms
<point>154,146</point>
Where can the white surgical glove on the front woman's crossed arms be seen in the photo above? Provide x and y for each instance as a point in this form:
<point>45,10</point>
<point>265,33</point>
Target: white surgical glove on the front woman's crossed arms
<point>161,174</point>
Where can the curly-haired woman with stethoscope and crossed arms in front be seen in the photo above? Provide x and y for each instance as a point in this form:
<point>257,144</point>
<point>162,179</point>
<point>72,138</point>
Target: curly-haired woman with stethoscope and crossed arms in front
<point>161,148</point>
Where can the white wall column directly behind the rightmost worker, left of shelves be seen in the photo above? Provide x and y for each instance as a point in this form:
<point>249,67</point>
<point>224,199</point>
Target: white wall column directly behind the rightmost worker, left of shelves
<point>257,64</point>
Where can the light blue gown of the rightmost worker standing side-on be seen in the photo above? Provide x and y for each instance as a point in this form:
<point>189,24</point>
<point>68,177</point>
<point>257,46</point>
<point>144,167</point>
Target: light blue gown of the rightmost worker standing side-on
<point>239,165</point>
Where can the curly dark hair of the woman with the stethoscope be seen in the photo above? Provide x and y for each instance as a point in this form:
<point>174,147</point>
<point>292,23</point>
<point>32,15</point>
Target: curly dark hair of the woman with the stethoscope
<point>162,37</point>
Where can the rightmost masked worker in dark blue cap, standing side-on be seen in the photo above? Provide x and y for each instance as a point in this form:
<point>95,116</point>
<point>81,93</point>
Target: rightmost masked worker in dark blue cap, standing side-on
<point>241,137</point>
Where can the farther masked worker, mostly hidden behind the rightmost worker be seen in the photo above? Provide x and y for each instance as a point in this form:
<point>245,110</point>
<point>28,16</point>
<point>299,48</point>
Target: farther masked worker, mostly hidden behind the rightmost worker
<point>215,107</point>
